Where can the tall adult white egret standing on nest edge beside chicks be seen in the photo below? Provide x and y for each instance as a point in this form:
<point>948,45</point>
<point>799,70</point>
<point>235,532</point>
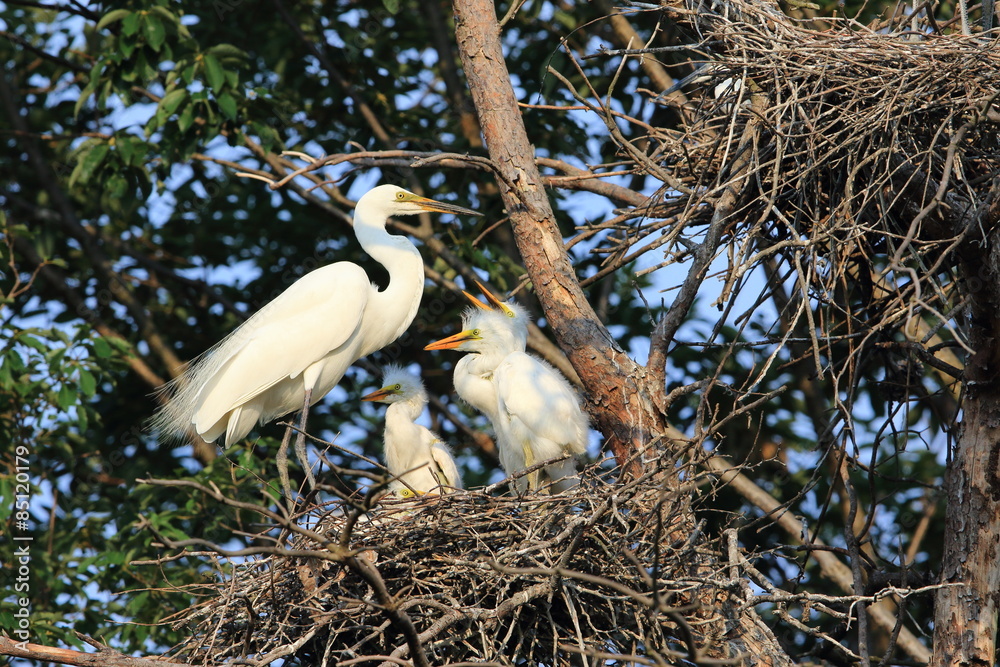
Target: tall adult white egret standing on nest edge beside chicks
<point>295,349</point>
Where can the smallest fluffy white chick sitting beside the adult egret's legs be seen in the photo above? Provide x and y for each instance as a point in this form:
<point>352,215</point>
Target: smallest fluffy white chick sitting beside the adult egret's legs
<point>414,455</point>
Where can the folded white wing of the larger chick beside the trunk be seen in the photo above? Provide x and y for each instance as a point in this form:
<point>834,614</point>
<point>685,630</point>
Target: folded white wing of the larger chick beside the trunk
<point>540,397</point>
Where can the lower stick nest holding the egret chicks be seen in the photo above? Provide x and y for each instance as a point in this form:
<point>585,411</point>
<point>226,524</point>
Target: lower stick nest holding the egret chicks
<point>599,570</point>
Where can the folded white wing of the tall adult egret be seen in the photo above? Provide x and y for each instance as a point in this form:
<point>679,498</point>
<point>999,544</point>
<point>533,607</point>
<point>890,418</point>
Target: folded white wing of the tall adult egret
<point>319,313</point>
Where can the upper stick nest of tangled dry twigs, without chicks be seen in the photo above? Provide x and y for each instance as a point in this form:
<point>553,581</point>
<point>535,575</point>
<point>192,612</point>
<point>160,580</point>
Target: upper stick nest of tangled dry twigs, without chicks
<point>875,145</point>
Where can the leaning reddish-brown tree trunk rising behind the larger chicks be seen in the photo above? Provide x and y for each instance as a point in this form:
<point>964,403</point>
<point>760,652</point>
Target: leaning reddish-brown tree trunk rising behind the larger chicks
<point>620,399</point>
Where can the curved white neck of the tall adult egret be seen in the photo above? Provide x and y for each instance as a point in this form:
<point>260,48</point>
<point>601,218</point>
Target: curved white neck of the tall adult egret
<point>398,302</point>
